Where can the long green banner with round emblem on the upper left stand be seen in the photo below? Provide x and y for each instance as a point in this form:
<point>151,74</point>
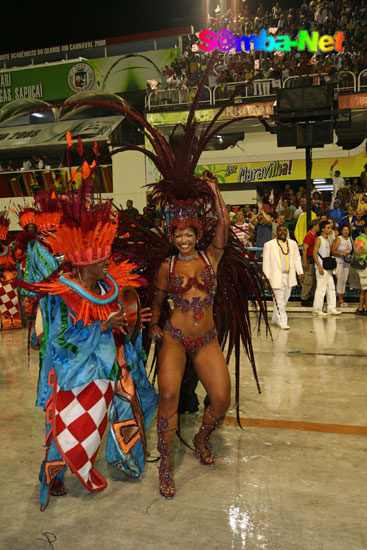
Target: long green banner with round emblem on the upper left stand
<point>118,74</point>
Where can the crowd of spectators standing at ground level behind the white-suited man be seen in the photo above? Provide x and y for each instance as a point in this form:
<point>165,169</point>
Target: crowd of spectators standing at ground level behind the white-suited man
<point>343,220</point>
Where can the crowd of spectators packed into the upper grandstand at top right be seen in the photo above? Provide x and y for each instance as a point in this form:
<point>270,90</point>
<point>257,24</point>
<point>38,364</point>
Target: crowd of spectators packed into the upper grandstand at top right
<point>325,16</point>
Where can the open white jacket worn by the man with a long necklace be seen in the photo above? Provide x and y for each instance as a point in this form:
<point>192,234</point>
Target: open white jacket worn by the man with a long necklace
<point>272,264</point>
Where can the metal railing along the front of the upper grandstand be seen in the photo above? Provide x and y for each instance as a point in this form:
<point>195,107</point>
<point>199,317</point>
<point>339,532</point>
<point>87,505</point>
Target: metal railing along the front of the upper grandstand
<point>343,81</point>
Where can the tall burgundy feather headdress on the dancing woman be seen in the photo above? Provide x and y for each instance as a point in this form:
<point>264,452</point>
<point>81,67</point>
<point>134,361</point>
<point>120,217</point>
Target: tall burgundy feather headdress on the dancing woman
<point>181,189</point>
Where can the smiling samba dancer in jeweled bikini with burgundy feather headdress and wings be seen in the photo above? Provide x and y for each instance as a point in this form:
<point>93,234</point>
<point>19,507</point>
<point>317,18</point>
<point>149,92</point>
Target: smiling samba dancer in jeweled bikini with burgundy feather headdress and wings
<point>210,278</point>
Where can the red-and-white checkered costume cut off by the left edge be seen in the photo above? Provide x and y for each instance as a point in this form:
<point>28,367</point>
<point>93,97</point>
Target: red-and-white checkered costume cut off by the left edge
<point>10,313</point>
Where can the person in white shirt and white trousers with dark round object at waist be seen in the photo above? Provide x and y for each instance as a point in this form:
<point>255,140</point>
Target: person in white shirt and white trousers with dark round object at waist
<point>324,276</point>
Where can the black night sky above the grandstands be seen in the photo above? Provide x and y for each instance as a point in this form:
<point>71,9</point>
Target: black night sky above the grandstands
<point>43,24</point>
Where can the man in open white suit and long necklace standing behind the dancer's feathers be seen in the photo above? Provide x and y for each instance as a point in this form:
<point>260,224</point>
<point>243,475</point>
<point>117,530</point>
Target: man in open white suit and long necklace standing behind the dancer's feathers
<point>281,264</point>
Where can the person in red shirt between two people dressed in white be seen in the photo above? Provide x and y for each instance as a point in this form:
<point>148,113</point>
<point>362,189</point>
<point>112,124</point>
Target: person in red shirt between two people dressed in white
<point>309,279</point>
